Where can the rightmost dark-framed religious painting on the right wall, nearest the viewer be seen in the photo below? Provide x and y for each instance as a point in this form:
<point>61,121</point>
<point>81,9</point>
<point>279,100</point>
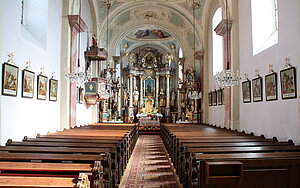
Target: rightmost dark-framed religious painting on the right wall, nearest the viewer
<point>288,83</point>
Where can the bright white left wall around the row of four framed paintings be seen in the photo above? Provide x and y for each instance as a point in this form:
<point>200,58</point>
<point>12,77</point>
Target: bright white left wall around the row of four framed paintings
<point>23,116</point>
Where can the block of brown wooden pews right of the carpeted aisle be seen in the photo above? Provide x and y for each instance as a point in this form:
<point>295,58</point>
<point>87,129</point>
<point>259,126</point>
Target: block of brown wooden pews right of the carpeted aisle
<point>183,152</point>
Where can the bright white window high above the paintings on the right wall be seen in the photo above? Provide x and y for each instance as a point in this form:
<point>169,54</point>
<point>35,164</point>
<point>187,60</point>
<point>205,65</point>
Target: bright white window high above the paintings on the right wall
<point>264,24</point>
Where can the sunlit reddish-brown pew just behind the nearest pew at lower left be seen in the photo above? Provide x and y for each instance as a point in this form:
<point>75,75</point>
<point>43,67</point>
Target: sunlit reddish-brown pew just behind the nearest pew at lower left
<point>28,169</point>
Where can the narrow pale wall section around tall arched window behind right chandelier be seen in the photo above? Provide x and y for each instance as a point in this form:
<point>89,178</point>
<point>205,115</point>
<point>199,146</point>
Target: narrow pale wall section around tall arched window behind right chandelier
<point>215,113</point>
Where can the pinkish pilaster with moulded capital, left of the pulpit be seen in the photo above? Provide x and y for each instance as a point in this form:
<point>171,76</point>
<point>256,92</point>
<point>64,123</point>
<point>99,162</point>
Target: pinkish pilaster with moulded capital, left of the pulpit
<point>77,25</point>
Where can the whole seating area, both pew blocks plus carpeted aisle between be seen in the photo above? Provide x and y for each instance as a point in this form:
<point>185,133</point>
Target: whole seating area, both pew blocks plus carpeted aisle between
<point>181,155</point>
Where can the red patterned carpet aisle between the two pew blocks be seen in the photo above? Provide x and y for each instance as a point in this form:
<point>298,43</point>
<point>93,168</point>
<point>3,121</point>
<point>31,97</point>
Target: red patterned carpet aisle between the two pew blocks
<point>149,166</point>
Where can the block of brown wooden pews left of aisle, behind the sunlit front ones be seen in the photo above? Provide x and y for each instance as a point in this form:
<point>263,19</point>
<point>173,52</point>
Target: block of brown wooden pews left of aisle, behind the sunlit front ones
<point>79,147</point>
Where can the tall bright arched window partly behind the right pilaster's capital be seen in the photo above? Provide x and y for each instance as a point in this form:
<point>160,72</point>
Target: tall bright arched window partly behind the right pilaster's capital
<point>217,43</point>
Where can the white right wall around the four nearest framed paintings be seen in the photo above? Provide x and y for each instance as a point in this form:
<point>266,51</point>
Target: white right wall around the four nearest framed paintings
<point>278,118</point>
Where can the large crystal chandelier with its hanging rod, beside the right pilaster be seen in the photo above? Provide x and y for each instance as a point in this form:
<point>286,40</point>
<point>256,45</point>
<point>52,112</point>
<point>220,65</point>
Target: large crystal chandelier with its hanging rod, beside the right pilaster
<point>227,78</point>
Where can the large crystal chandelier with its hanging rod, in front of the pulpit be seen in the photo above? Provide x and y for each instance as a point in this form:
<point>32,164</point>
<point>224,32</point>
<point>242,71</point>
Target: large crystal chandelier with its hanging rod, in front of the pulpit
<point>78,76</point>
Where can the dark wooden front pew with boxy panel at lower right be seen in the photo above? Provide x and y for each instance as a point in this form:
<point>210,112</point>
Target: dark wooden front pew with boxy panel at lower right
<point>277,169</point>
